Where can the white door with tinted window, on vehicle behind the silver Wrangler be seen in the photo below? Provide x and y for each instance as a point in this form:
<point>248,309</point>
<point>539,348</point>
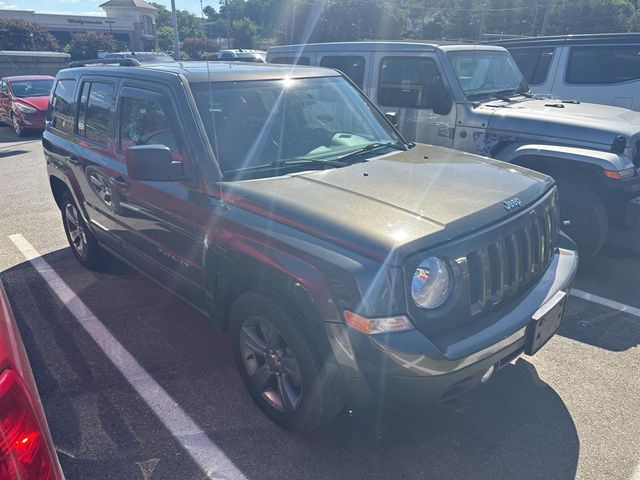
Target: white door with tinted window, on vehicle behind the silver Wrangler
<point>606,74</point>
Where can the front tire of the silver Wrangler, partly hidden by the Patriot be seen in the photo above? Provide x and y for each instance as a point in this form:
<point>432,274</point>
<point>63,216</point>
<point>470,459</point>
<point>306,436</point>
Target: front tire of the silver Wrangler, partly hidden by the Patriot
<point>584,218</point>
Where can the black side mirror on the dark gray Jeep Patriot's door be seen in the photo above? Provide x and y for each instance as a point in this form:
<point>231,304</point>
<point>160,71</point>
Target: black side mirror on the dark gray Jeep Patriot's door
<point>153,163</point>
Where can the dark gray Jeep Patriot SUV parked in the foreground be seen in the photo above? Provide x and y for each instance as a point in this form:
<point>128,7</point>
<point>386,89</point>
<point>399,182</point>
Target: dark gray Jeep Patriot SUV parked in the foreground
<point>347,263</point>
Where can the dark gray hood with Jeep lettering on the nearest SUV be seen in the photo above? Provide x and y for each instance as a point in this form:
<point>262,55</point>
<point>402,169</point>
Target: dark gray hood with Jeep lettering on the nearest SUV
<point>399,202</point>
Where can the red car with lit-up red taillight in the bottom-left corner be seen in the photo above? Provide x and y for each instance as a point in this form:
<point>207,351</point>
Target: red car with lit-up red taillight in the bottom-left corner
<point>27,451</point>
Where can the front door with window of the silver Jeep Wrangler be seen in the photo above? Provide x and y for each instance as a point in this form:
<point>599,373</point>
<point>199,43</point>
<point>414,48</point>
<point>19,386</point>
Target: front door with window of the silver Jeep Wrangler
<point>413,86</point>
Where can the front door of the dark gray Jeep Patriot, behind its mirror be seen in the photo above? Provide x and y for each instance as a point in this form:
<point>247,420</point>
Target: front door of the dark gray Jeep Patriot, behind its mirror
<point>164,229</point>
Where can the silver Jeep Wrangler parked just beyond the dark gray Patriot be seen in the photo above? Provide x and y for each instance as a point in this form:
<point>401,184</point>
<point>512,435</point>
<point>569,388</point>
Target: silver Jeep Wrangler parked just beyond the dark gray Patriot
<point>473,98</point>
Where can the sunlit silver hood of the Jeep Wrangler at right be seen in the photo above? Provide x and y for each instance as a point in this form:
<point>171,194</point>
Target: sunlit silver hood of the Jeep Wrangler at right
<point>573,123</point>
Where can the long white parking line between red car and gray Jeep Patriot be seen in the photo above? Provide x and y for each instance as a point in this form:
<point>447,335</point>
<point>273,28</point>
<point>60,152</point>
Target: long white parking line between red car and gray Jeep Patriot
<point>213,462</point>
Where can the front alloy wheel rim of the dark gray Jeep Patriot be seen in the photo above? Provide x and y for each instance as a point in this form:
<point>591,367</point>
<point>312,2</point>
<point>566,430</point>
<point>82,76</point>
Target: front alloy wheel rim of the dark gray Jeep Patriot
<point>270,364</point>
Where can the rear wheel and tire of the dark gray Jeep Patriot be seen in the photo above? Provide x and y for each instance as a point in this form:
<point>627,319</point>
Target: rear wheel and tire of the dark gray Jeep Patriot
<point>82,242</point>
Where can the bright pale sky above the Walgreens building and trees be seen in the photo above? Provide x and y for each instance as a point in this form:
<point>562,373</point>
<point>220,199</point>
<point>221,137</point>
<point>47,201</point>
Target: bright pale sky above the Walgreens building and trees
<point>90,7</point>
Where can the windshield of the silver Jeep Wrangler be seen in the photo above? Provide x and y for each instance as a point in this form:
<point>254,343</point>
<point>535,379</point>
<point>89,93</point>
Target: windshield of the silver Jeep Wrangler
<point>484,73</point>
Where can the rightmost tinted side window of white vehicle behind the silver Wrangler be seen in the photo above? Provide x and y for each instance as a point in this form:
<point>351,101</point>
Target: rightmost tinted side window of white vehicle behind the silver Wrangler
<point>603,64</point>
